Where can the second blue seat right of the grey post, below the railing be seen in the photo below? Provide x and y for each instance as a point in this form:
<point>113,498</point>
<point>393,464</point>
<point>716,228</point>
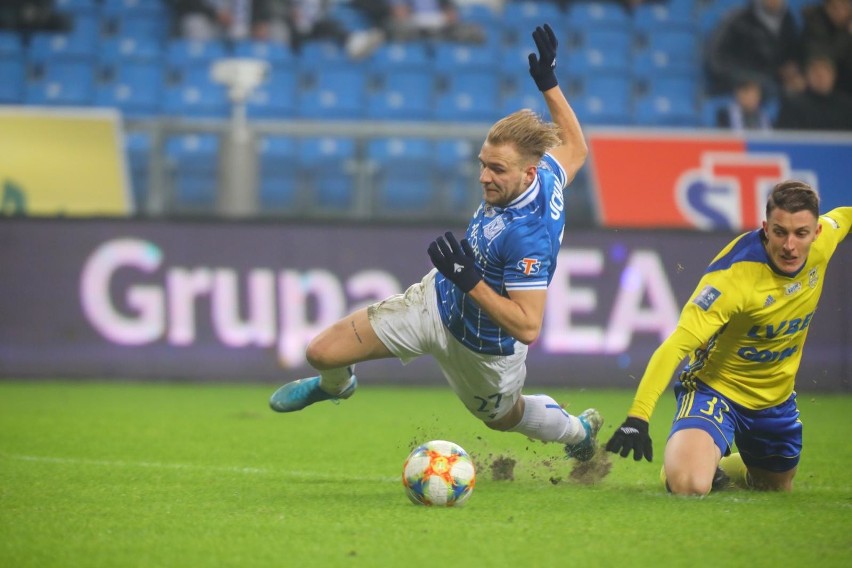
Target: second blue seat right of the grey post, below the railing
<point>327,165</point>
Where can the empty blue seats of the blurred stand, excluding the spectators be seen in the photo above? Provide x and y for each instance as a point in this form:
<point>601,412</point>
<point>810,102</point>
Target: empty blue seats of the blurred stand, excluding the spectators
<point>622,68</point>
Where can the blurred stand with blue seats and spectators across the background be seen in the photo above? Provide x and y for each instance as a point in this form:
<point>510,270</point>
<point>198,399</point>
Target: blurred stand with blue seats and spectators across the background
<point>360,68</point>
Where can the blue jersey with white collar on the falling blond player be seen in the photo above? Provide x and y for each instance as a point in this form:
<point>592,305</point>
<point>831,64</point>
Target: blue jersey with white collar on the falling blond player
<point>516,248</point>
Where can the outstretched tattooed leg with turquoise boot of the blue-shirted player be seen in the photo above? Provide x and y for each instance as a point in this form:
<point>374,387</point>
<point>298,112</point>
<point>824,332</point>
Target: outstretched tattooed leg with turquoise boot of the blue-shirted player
<point>333,352</point>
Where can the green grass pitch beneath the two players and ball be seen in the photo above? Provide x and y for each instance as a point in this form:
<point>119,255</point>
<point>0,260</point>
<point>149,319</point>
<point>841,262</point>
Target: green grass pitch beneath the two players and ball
<point>161,475</point>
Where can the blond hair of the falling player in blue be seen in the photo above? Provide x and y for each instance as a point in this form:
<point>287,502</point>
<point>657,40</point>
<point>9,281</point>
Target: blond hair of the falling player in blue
<point>527,132</point>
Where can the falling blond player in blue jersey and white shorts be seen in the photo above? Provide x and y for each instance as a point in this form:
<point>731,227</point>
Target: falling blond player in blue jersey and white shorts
<point>483,304</point>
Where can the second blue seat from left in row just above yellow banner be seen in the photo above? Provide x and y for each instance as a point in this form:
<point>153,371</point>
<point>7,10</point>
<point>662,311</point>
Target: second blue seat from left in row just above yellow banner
<point>62,83</point>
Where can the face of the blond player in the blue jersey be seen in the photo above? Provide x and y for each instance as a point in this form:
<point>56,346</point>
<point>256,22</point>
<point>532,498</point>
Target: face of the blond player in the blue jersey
<point>501,174</point>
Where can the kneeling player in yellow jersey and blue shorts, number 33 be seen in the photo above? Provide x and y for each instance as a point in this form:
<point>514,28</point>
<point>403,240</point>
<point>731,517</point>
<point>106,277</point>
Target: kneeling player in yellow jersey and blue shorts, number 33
<point>743,329</point>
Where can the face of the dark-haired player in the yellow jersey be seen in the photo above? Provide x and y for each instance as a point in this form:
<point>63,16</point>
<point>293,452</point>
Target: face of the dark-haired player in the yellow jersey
<point>789,237</point>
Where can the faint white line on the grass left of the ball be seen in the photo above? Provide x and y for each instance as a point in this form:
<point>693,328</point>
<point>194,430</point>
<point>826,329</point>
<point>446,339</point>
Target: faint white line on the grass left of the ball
<point>183,466</point>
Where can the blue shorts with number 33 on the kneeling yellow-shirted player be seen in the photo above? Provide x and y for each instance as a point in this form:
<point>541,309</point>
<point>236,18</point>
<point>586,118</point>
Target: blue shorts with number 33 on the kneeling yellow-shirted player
<point>769,439</point>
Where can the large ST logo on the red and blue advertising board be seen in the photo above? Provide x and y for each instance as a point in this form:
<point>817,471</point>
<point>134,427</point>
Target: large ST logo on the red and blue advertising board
<point>729,189</point>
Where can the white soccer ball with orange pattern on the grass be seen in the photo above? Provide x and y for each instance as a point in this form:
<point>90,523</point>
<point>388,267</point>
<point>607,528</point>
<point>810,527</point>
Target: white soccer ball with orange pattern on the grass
<point>439,473</point>
